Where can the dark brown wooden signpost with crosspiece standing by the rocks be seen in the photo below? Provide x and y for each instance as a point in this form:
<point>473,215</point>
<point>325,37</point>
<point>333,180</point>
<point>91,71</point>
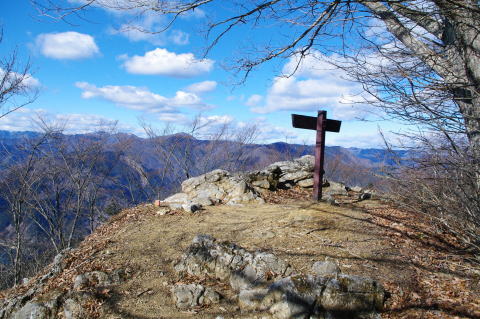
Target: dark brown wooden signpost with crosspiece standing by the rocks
<point>321,124</point>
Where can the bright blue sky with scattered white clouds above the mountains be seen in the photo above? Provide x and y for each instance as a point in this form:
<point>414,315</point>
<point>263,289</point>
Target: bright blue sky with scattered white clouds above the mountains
<point>97,71</point>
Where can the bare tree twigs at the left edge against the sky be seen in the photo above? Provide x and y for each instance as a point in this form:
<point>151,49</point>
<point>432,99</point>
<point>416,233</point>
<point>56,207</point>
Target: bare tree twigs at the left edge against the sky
<point>17,86</point>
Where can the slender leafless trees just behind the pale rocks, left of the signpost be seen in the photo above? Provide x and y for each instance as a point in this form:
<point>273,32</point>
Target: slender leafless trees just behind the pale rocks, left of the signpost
<point>202,146</point>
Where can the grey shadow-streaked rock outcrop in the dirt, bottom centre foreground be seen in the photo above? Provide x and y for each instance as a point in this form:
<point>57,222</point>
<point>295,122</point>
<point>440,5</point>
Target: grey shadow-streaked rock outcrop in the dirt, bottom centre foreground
<point>264,282</point>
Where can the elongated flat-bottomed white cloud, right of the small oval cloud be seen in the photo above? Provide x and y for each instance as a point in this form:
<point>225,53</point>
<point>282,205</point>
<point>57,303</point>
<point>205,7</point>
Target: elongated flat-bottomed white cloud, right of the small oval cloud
<point>162,62</point>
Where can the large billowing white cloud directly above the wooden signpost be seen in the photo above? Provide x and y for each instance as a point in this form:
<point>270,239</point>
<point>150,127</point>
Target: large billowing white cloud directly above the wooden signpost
<point>315,85</point>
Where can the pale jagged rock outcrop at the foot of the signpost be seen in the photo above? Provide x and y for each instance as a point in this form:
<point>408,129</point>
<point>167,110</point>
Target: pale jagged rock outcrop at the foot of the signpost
<point>222,187</point>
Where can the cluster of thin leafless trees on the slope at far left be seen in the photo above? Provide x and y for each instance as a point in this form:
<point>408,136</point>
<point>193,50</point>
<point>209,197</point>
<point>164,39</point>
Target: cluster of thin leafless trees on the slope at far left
<point>54,188</point>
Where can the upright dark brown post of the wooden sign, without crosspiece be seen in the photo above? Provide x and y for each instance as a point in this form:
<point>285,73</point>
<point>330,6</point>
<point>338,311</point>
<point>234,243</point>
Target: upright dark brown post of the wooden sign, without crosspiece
<point>319,155</point>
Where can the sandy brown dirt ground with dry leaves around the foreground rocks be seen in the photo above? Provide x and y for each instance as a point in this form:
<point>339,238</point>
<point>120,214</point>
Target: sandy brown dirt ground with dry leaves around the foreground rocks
<point>425,276</point>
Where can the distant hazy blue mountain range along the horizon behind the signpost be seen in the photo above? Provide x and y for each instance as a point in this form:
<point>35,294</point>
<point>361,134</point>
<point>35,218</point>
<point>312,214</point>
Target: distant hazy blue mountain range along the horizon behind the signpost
<point>144,169</point>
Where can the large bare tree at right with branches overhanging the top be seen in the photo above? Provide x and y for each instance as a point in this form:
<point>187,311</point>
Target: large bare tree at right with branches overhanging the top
<point>418,60</point>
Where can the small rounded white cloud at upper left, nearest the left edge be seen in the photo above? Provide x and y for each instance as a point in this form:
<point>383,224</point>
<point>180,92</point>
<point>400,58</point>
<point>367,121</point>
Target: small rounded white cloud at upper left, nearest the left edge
<point>66,45</point>
